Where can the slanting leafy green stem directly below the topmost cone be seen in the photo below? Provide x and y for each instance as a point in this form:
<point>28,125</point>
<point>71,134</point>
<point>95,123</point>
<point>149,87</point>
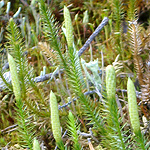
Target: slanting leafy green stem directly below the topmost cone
<point>76,83</point>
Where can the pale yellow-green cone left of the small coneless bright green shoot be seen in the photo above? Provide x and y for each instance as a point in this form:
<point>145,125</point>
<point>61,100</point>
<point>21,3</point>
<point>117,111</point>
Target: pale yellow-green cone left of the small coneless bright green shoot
<point>55,120</point>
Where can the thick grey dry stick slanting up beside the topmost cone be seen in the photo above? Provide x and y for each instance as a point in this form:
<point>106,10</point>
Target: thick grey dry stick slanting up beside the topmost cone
<point>94,34</point>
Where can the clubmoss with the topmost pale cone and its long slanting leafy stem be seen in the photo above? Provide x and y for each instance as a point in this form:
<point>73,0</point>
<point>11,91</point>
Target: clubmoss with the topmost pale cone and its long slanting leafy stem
<point>76,81</point>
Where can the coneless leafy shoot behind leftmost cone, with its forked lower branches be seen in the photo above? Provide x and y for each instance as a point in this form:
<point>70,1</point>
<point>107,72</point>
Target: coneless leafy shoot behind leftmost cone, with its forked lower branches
<point>16,48</point>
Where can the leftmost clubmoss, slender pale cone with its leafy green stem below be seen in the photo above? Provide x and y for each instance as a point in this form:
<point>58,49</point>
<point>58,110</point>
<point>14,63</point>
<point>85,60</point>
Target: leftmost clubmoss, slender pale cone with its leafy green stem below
<point>24,130</point>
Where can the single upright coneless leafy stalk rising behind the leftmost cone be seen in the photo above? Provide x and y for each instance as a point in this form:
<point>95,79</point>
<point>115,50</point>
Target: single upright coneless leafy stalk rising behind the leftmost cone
<point>16,49</point>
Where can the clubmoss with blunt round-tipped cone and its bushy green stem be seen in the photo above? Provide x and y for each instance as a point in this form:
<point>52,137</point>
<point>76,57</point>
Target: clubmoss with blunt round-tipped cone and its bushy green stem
<point>115,133</point>
